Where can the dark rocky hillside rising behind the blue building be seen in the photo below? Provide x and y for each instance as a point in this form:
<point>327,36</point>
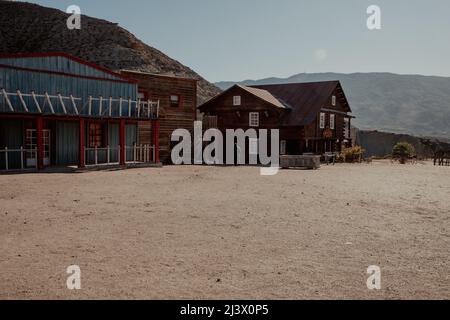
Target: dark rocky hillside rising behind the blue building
<point>30,28</point>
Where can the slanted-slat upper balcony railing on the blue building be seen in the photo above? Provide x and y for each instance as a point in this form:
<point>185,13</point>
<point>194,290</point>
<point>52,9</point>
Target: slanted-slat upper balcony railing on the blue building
<point>14,102</point>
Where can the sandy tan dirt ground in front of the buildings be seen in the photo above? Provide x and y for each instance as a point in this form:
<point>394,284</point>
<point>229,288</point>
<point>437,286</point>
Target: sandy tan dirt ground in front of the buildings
<point>227,233</point>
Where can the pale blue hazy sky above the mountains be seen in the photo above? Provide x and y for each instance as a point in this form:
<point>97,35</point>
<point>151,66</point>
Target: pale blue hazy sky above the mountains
<point>252,39</point>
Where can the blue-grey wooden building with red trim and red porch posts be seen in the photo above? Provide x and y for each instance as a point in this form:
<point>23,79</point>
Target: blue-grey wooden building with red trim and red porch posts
<point>58,110</point>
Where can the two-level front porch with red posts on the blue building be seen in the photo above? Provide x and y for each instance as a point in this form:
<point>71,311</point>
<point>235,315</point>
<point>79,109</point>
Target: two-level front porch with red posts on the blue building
<point>41,131</point>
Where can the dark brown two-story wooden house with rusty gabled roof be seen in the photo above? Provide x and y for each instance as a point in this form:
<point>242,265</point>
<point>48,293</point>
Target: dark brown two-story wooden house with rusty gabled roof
<point>311,117</point>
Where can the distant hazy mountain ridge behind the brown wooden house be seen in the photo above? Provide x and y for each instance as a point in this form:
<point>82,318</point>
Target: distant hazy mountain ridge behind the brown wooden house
<point>406,104</point>
